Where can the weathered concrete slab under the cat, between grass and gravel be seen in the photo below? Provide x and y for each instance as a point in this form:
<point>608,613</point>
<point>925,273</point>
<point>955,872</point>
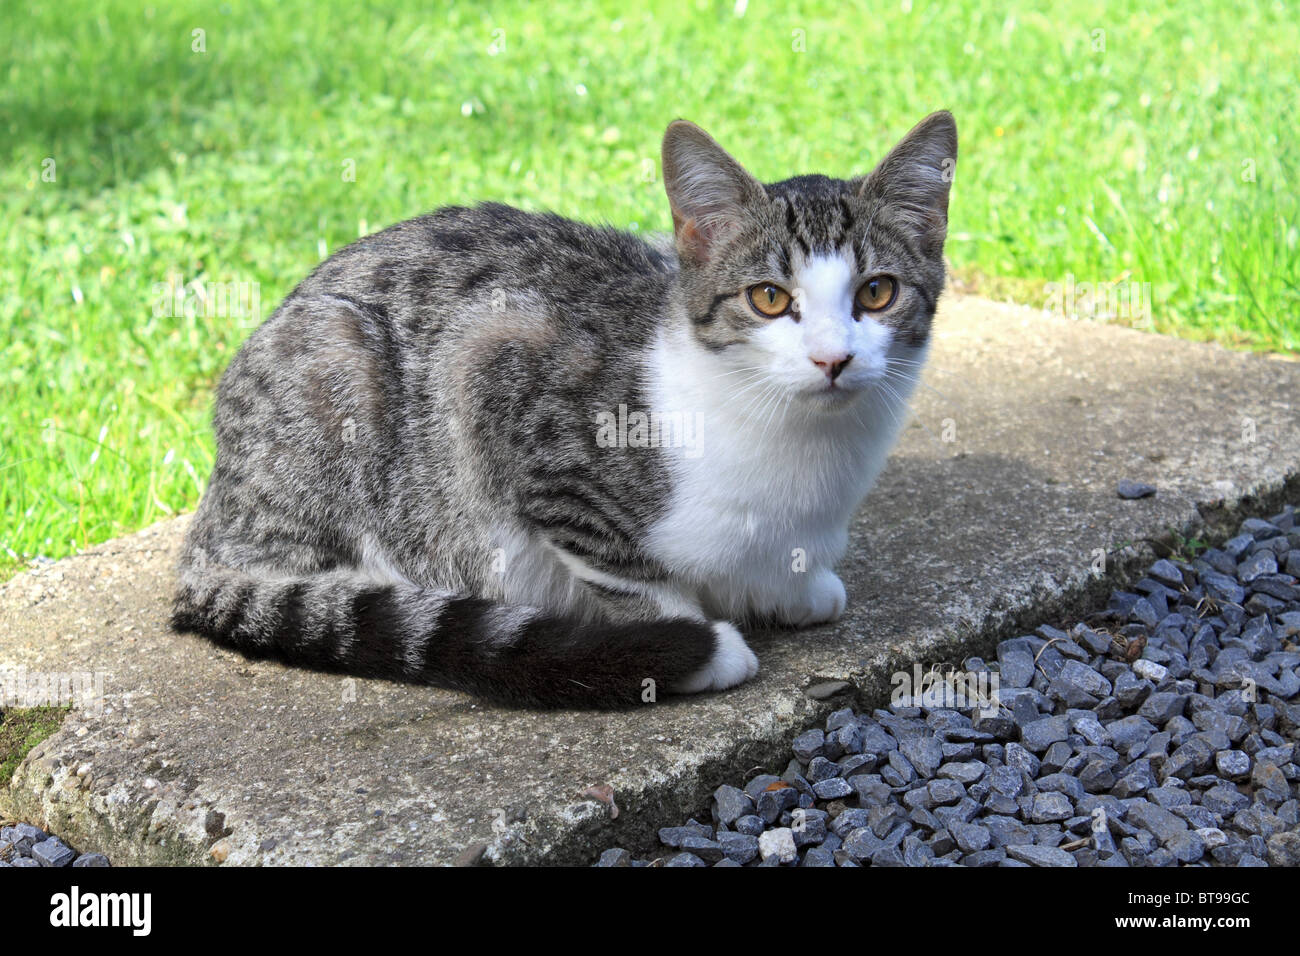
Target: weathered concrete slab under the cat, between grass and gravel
<point>987,521</point>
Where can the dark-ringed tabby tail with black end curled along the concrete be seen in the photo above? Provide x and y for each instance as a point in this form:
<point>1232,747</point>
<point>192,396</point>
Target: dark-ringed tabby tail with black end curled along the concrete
<point>341,621</point>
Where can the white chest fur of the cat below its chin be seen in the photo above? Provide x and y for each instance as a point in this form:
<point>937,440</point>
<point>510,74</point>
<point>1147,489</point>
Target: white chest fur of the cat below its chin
<point>766,499</point>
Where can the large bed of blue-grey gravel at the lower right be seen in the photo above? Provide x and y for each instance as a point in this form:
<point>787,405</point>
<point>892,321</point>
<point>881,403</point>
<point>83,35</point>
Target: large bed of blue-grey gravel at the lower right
<point>1162,733</point>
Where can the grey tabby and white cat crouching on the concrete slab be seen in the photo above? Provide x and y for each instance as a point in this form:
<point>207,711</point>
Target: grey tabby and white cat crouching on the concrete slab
<point>435,464</point>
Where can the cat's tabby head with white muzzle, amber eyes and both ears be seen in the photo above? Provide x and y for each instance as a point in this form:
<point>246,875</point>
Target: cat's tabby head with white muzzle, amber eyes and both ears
<point>825,288</point>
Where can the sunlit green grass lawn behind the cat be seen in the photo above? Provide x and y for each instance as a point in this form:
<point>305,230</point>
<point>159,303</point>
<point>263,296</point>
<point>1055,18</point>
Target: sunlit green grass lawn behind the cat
<point>1167,159</point>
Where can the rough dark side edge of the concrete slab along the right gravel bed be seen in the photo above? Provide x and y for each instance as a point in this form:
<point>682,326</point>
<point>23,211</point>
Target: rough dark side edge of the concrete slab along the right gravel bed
<point>584,834</point>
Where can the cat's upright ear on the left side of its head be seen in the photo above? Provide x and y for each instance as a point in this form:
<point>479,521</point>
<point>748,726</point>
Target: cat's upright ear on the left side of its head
<point>709,192</point>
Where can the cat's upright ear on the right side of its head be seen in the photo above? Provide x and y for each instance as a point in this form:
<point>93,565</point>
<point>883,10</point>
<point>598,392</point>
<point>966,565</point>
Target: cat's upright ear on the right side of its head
<point>916,178</point>
